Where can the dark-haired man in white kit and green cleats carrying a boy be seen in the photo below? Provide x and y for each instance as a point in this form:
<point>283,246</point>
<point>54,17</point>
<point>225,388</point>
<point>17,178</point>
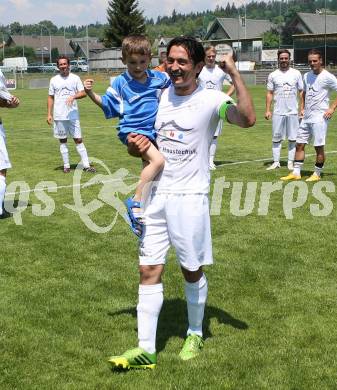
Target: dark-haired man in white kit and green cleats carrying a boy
<point>178,210</point>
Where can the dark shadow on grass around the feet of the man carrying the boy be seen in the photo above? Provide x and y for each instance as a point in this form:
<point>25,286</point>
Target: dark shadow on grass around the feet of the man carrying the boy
<point>173,320</point>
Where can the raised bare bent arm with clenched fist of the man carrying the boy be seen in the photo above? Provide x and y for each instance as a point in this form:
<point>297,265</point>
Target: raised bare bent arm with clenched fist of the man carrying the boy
<point>243,114</point>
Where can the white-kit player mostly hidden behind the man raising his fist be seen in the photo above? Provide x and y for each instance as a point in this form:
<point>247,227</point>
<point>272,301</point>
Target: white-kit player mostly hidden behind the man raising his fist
<point>213,77</point>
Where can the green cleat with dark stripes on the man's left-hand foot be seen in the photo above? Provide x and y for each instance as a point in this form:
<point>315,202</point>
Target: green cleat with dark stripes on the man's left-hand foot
<point>134,358</point>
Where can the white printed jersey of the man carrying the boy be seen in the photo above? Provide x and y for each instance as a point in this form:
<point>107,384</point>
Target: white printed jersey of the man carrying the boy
<point>185,126</point>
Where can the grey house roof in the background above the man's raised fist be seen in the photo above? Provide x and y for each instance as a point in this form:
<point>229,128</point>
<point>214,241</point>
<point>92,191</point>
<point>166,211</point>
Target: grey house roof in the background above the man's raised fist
<point>235,29</point>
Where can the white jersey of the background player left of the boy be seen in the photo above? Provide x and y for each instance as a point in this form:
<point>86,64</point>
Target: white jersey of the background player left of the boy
<point>61,88</point>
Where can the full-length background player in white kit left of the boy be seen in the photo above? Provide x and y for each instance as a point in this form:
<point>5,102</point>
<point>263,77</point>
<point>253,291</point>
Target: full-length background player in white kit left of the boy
<point>64,89</point>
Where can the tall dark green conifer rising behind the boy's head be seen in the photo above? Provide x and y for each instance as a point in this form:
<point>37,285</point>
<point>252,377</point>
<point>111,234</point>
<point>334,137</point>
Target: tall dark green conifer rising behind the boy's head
<point>124,19</point>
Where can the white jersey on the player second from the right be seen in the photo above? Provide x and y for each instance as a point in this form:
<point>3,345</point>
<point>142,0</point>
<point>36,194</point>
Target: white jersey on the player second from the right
<point>285,86</point>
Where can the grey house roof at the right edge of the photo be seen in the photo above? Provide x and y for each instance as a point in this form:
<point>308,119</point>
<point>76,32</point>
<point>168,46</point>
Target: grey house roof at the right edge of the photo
<point>315,23</point>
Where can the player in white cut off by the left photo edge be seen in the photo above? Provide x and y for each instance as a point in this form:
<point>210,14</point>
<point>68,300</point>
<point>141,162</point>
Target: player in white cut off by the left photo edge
<point>9,101</point>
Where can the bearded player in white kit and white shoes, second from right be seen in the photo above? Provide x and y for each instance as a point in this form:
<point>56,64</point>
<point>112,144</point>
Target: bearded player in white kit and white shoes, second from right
<point>283,85</point>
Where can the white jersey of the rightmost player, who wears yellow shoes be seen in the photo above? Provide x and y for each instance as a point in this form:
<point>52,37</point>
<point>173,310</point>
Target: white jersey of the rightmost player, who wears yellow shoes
<point>317,88</point>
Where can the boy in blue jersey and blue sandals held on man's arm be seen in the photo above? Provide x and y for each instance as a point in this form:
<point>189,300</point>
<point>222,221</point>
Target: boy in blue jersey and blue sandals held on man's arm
<point>133,97</point>
